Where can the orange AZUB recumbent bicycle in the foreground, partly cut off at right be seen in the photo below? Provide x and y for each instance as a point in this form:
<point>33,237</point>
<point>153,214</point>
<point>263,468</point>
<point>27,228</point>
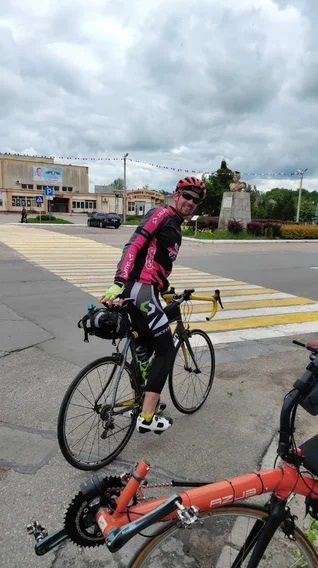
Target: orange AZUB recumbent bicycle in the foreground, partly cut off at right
<point>224,533</point>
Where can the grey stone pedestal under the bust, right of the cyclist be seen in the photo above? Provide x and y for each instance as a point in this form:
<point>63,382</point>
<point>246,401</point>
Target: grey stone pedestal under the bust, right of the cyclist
<point>235,205</point>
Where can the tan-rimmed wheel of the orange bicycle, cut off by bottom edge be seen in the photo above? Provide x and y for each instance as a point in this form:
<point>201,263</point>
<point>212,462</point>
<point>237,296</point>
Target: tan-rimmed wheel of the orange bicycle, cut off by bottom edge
<point>228,526</point>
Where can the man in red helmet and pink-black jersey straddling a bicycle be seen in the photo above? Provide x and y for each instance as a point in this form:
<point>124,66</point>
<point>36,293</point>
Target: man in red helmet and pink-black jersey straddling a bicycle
<point>142,273</point>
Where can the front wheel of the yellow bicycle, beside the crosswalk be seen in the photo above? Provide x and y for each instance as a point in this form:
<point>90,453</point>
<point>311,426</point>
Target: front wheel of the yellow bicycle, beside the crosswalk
<point>188,386</point>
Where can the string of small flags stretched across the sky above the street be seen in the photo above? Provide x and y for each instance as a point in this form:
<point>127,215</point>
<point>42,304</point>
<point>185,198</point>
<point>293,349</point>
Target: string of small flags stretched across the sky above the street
<point>168,168</point>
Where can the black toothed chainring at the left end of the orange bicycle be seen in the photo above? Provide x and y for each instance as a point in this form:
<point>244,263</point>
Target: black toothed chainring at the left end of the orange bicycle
<point>79,522</point>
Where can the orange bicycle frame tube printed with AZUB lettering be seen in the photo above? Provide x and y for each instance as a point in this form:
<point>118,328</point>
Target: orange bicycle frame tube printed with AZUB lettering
<point>281,482</point>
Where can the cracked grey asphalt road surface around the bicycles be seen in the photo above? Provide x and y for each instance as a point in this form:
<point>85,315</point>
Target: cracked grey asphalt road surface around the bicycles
<point>42,350</point>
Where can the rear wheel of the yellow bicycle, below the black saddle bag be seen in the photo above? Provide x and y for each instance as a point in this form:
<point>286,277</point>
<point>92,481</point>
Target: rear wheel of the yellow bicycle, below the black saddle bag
<point>90,432</point>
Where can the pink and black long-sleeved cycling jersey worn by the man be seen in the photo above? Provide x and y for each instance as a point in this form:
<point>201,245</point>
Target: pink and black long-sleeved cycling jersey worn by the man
<point>148,256</point>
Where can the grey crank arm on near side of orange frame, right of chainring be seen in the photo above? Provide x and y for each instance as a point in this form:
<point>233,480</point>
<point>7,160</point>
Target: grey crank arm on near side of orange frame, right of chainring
<point>118,537</point>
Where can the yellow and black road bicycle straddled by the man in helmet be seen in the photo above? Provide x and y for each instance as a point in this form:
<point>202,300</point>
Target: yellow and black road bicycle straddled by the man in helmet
<point>99,410</point>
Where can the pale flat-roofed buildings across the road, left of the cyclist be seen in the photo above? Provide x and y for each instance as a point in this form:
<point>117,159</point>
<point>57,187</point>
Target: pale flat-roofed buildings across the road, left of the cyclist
<point>41,185</point>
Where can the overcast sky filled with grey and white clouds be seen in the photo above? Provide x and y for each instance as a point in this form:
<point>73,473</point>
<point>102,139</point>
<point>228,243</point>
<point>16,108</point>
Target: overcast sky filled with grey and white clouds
<point>181,84</point>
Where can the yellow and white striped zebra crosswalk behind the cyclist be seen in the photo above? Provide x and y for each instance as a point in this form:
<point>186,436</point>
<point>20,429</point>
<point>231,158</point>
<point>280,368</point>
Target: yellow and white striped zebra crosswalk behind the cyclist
<point>250,311</point>
